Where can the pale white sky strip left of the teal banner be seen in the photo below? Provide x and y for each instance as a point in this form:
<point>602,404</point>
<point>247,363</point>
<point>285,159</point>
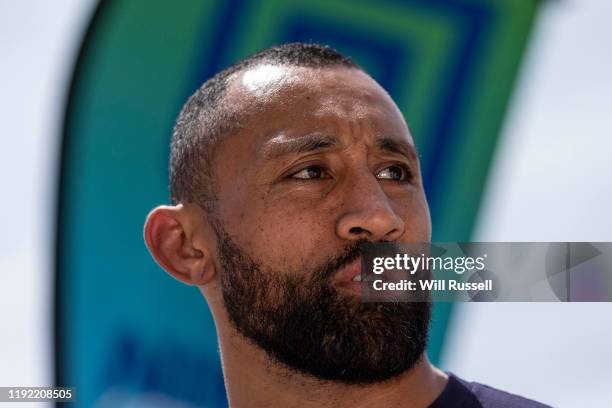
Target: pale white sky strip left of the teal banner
<point>38,45</point>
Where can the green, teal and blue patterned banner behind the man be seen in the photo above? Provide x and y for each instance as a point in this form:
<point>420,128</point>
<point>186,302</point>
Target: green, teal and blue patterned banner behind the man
<point>124,329</point>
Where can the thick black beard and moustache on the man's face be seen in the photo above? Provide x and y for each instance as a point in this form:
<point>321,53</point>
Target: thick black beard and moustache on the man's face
<point>301,321</point>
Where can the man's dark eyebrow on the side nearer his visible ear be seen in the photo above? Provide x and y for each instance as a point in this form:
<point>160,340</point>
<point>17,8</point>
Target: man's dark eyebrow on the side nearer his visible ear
<point>282,145</point>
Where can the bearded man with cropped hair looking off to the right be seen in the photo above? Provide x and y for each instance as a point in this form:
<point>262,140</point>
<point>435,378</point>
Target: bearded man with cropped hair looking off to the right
<point>281,166</point>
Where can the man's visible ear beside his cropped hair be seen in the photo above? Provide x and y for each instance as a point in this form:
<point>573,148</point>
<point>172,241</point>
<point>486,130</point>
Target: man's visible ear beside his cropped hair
<point>175,238</point>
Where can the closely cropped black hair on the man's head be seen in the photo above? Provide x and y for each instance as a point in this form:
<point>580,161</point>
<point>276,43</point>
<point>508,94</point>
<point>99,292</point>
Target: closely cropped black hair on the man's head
<point>205,119</point>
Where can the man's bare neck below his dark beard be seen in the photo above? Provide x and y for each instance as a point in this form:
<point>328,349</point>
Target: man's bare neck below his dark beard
<point>253,380</point>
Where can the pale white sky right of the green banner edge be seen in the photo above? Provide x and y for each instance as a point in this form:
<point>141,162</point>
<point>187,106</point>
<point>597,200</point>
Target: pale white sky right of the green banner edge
<point>551,181</point>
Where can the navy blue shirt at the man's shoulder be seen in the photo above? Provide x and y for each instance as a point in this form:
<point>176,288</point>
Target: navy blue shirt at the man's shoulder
<point>462,394</point>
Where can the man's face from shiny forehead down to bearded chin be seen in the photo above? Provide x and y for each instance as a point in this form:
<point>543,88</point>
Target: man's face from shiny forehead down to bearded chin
<point>323,162</point>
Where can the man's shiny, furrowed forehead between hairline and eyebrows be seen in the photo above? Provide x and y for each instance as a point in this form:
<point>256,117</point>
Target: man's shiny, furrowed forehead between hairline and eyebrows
<point>273,98</point>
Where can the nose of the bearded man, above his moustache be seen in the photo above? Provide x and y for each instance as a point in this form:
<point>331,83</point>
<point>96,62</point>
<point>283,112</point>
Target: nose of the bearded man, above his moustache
<point>368,213</point>
